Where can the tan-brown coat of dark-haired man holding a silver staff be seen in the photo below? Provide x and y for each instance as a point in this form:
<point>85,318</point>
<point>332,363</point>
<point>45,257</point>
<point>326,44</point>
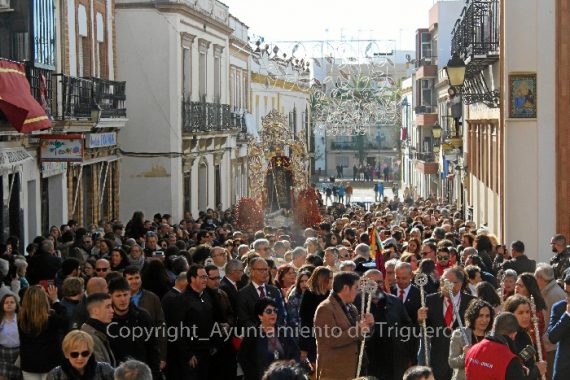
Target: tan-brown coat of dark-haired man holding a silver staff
<point>337,341</point>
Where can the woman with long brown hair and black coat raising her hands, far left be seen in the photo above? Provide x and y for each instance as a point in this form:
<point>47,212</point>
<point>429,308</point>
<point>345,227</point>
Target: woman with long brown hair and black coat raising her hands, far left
<point>40,327</point>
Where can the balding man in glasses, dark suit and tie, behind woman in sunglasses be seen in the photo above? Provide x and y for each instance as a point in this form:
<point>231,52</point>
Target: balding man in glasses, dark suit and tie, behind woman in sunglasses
<point>256,289</point>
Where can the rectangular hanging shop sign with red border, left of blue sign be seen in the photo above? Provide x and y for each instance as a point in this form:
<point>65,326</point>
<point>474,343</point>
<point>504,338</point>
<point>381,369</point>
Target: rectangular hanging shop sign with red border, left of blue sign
<point>61,148</point>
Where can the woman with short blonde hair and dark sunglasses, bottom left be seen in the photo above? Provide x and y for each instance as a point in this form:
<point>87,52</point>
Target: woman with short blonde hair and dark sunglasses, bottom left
<point>79,360</point>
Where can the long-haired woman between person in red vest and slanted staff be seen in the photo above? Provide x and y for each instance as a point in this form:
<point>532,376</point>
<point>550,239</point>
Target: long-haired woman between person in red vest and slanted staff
<point>522,343</point>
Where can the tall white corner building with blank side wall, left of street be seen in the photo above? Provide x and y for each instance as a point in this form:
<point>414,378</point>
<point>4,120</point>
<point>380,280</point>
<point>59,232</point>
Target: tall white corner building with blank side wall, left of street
<point>179,140</point>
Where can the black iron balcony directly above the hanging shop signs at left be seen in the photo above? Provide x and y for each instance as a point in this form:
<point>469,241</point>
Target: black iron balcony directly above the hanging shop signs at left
<point>79,96</point>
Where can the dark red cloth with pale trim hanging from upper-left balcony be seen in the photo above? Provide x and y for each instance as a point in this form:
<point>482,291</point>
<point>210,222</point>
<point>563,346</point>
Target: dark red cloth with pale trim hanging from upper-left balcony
<point>16,100</point>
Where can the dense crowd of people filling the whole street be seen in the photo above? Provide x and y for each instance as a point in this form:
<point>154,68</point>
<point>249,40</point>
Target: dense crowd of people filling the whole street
<point>203,298</point>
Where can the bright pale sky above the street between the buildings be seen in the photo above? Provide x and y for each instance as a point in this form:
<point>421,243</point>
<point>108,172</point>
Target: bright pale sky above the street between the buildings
<point>302,20</point>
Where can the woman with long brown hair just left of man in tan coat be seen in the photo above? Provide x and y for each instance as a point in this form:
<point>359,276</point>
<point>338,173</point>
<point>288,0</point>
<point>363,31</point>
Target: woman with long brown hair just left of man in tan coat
<point>318,289</point>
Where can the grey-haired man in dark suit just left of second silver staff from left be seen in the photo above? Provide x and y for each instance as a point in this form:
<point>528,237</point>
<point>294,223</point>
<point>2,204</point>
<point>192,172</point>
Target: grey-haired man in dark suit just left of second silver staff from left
<point>410,296</point>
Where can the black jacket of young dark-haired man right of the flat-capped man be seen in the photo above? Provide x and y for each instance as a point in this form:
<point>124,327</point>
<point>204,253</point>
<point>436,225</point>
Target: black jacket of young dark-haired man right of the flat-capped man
<point>144,349</point>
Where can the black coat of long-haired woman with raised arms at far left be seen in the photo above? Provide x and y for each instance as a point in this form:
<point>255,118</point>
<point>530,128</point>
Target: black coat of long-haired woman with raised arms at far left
<point>40,353</point>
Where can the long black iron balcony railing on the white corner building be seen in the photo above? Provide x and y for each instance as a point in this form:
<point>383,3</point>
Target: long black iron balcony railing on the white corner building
<point>206,117</point>
